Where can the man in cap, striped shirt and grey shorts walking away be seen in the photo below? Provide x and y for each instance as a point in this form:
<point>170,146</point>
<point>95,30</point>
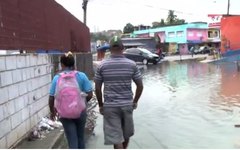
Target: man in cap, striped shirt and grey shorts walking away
<point>117,74</point>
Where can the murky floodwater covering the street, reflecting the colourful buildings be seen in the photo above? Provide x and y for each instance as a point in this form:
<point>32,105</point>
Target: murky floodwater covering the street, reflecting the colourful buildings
<point>185,104</point>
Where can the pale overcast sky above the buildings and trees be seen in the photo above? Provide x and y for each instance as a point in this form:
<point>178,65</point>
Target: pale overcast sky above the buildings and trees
<point>115,14</point>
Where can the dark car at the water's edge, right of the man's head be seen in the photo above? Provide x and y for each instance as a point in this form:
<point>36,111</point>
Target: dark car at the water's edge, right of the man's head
<point>141,55</point>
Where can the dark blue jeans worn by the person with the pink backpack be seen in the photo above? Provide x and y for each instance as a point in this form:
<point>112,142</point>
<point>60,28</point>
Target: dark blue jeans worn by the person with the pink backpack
<point>74,131</point>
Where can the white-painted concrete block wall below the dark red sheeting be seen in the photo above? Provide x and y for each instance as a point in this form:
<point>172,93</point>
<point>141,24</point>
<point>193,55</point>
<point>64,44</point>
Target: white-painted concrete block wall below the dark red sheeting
<point>24,86</point>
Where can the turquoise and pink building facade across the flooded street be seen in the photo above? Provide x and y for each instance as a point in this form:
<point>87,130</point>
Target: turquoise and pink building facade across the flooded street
<point>179,38</point>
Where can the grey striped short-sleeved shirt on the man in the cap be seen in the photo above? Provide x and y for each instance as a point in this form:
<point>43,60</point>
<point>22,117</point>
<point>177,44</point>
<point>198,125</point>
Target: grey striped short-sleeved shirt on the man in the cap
<point>117,73</point>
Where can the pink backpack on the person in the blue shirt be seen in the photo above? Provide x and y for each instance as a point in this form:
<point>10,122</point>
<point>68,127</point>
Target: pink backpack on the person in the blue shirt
<point>69,101</point>
